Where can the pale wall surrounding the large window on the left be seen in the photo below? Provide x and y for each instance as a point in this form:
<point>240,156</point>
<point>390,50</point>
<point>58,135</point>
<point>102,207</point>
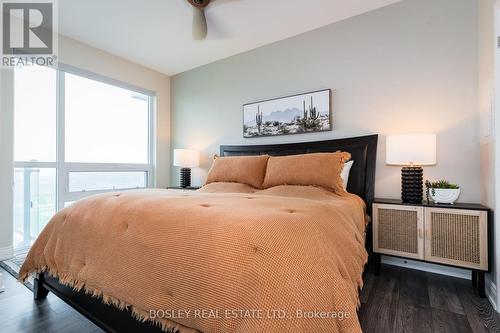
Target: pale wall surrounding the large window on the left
<point>85,57</point>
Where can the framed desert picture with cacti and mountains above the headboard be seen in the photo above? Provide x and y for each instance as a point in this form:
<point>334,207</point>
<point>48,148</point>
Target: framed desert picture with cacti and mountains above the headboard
<point>309,112</point>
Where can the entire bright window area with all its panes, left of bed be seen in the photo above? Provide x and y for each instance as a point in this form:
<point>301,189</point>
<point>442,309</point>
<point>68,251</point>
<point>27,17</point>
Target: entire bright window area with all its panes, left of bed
<point>75,135</point>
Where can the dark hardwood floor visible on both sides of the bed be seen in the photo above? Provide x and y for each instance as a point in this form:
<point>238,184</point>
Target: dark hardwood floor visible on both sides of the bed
<point>398,300</point>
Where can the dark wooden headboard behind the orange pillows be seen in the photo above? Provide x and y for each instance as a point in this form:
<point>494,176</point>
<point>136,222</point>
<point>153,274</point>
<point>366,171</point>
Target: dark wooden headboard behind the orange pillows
<point>363,150</point>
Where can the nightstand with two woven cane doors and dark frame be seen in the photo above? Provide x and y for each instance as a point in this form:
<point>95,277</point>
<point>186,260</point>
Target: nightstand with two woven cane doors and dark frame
<point>455,235</point>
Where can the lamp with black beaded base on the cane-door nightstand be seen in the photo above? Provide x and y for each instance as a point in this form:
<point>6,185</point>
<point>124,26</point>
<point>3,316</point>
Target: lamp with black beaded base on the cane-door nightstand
<point>412,151</point>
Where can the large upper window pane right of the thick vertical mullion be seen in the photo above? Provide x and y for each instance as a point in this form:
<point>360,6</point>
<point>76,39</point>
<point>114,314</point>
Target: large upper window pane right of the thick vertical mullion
<point>116,117</point>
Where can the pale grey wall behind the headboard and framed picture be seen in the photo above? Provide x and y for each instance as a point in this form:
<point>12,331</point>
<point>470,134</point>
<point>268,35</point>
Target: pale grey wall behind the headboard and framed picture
<point>411,66</point>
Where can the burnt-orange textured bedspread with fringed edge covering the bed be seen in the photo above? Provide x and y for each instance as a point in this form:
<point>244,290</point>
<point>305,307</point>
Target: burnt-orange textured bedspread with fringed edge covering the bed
<point>226,258</point>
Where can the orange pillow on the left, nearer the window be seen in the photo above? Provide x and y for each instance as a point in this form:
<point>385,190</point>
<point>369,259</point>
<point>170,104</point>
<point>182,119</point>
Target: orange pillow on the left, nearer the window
<point>239,169</point>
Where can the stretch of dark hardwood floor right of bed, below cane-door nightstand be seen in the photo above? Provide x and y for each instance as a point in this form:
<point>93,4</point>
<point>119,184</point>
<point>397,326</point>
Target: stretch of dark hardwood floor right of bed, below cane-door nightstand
<point>405,300</point>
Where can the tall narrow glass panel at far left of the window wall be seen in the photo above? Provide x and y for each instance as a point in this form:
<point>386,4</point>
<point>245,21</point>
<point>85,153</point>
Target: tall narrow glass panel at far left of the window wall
<point>35,151</point>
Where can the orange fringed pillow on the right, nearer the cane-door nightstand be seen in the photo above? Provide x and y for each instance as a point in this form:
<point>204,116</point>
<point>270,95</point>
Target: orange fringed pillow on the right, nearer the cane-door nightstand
<point>319,169</point>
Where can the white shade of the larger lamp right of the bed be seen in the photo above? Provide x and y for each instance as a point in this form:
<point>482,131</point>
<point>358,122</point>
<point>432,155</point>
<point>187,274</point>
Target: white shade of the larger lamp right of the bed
<point>411,149</point>
